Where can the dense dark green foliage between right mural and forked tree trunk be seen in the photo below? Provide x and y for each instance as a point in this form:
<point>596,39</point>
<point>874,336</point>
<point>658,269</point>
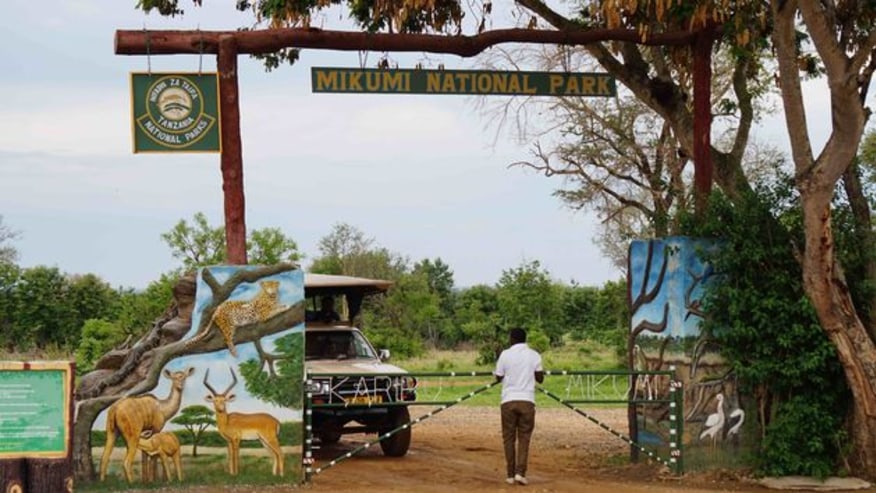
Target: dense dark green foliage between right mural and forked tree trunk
<point>769,332</point>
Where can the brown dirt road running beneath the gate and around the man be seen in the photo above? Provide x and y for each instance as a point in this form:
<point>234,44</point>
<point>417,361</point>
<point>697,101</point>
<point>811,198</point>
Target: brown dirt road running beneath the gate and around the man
<point>460,450</point>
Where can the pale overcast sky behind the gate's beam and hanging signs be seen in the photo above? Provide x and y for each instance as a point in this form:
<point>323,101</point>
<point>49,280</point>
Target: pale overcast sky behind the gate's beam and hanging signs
<point>422,175</point>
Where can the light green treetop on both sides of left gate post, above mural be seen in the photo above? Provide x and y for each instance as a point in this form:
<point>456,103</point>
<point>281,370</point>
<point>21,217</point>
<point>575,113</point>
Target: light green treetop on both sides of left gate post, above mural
<point>198,244</point>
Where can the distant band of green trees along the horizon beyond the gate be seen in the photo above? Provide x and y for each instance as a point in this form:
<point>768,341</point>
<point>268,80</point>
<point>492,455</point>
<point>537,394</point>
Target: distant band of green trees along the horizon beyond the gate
<point>45,312</point>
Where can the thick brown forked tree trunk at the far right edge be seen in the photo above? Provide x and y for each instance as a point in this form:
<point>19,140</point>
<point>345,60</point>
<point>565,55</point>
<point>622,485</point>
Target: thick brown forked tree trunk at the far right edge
<point>816,180</point>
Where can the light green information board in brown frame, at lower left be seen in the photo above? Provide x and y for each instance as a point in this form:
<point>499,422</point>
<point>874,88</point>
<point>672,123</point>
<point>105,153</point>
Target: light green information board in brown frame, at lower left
<point>34,410</point>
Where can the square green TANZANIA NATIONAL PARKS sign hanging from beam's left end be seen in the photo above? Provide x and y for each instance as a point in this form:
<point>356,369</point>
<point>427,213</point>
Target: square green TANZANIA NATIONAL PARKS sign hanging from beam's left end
<point>175,112</point>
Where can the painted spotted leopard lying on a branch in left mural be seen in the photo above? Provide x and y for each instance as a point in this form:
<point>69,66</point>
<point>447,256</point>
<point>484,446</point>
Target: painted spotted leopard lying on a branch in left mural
<point>231,314</point>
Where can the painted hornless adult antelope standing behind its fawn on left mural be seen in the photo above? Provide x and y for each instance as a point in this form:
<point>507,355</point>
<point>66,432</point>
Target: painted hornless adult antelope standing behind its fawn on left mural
<point>131,416</point>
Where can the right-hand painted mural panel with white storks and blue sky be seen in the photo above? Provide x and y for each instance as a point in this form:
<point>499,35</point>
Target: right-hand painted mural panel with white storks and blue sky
<point>667,280</point>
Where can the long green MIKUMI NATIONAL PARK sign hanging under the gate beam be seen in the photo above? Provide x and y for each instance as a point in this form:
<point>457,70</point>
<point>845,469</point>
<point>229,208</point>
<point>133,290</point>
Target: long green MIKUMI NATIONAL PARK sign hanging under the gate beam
<point>468,82</point>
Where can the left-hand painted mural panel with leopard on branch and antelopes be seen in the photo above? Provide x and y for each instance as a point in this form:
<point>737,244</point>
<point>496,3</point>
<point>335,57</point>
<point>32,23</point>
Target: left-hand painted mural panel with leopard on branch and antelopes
<point>228,409</point>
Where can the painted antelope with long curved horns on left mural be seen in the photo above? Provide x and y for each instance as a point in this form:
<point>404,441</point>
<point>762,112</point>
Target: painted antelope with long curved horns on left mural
<point>234,427</point>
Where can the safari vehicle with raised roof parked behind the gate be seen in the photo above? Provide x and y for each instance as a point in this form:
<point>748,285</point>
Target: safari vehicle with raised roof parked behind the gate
<point>371,403</point>
